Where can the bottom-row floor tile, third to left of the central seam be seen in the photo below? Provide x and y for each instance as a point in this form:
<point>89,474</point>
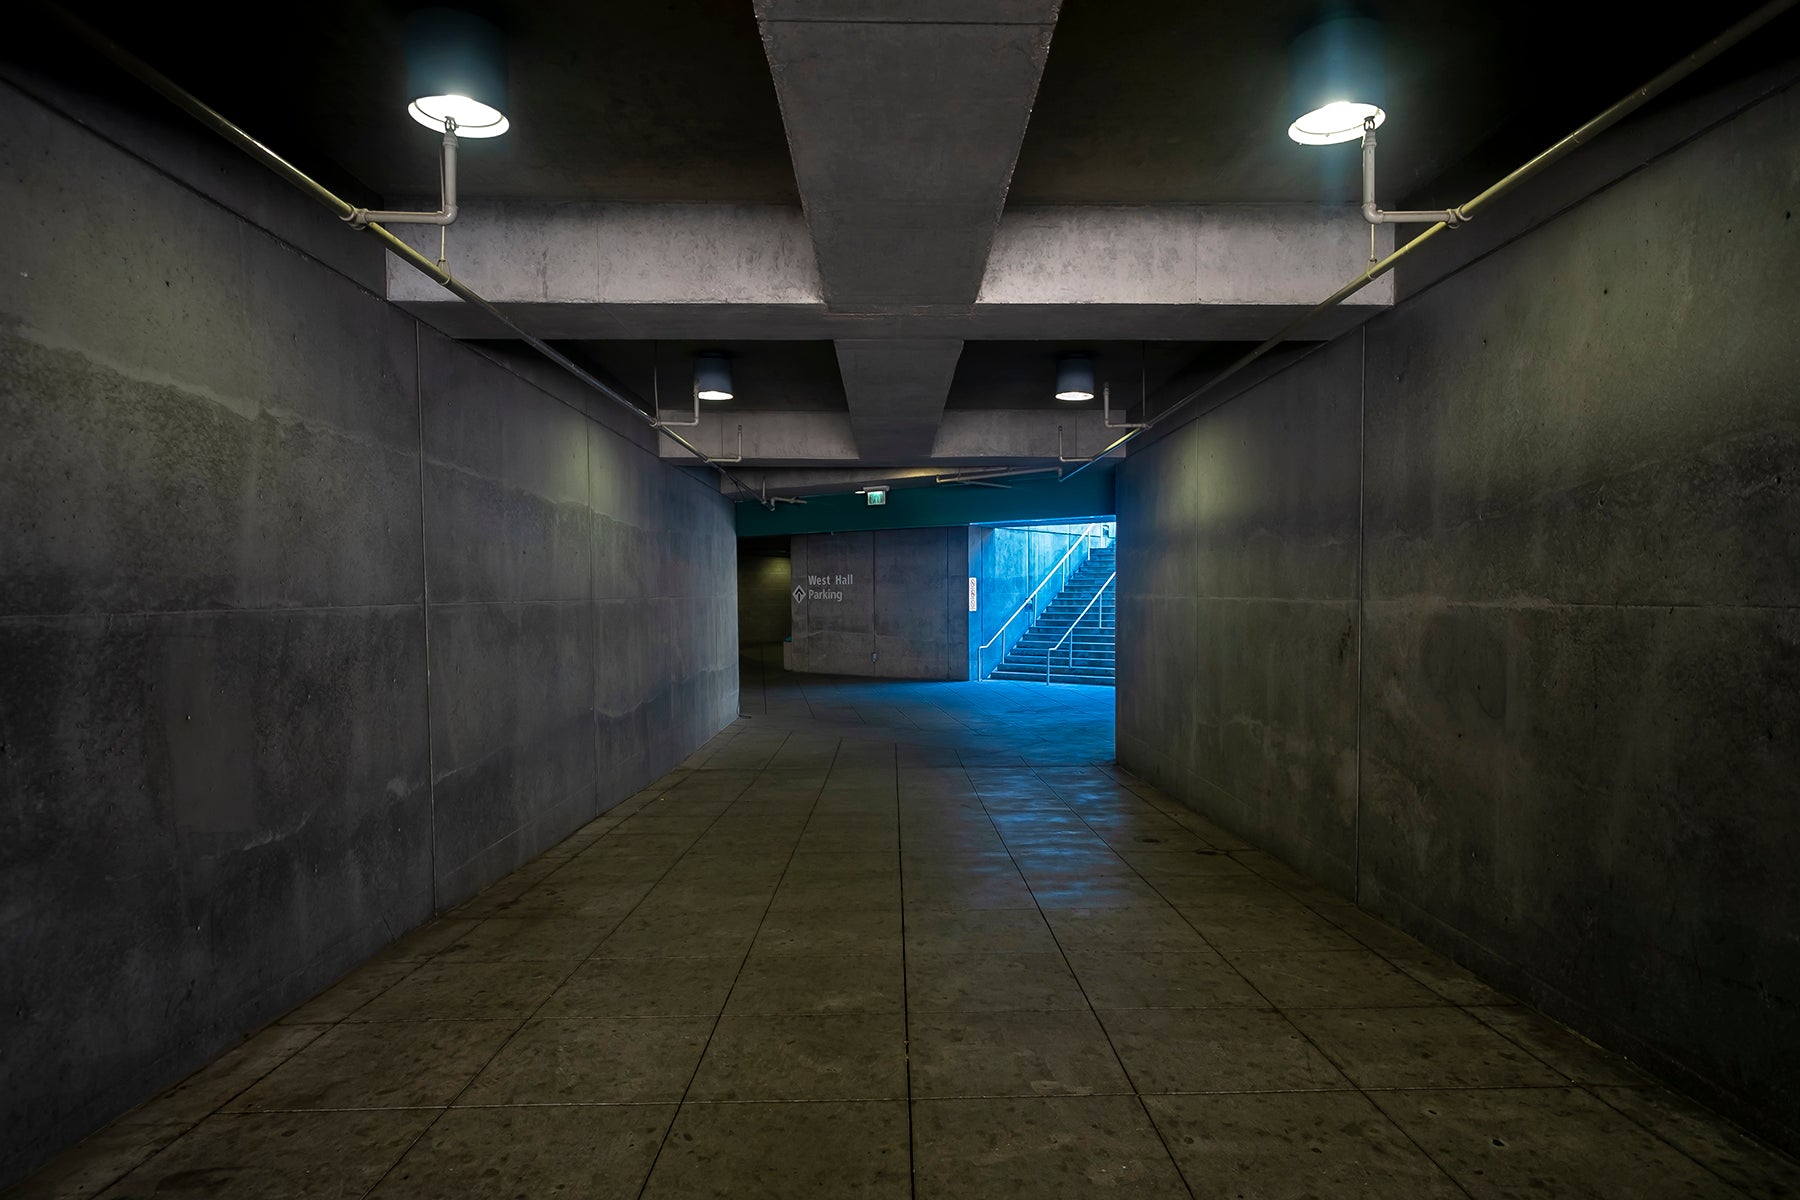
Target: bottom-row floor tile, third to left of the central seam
<point>278,1156</point>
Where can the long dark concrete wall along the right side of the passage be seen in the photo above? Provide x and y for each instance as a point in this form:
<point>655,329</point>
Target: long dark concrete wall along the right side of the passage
<point>1552,728</point>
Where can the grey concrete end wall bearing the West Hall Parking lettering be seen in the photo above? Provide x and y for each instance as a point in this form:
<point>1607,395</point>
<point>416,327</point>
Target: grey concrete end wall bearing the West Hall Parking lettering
<point>894,604</point>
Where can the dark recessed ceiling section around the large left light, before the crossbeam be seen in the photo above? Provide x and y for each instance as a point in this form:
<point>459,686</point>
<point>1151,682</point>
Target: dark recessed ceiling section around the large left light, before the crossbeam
<point>649,103</point>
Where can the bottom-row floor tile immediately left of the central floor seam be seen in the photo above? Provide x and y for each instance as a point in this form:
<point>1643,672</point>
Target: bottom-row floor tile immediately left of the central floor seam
<point>786,1152</point>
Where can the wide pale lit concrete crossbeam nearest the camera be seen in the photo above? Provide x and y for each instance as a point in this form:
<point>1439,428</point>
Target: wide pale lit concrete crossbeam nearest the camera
<point>748,273</point>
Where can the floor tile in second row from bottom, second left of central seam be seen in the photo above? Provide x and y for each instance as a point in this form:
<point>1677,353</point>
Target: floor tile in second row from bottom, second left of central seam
<point>579,1061</point>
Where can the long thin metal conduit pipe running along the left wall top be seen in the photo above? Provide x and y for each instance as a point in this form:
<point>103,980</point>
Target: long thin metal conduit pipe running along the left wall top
<point>238,138</point>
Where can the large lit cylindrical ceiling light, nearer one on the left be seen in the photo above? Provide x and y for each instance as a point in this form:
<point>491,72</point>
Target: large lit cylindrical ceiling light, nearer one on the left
<point>456,73</point>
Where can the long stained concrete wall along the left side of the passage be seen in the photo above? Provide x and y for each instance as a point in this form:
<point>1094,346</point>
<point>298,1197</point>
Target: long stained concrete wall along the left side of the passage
<point>312,620</point>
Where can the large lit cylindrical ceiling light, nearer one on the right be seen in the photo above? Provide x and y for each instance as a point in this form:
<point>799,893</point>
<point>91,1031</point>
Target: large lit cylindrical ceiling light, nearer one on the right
<point>1340,82</point>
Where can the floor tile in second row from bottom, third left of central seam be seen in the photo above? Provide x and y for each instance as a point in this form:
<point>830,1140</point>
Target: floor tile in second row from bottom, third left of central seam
<point>381,1066</point>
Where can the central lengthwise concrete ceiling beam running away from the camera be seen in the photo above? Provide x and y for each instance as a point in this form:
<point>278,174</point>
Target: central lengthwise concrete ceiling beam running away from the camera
<point>904,123</point>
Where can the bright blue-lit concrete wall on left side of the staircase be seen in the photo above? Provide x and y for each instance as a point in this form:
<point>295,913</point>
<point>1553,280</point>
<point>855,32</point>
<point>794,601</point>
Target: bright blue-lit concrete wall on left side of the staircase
<point>1011,562</point>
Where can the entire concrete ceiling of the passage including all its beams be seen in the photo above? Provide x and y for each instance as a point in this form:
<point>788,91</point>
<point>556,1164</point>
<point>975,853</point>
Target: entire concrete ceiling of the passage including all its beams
<point>895,213</point>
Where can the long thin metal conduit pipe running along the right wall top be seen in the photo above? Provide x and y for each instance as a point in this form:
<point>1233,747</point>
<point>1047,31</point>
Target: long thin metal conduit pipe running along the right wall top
<point>1468,210</point>
